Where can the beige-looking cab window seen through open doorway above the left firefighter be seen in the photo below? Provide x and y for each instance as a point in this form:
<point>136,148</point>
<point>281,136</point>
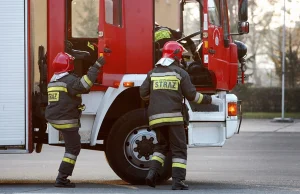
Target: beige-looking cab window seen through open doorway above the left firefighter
<point>85,18</point>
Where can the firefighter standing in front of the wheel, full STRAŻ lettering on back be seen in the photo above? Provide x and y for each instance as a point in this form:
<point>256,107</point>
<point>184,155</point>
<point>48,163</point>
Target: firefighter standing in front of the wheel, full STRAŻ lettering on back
<point>164,89</point>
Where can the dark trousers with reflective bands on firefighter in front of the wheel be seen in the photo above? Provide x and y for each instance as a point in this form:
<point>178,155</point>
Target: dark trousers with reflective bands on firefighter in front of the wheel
<point>172,138</point>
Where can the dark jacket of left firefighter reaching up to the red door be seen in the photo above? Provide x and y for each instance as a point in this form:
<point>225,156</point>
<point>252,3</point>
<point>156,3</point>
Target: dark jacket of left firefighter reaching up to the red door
<point>64,97</point>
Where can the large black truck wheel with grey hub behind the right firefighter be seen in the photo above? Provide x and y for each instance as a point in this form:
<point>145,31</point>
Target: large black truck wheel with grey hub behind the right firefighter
<point>129,148</point>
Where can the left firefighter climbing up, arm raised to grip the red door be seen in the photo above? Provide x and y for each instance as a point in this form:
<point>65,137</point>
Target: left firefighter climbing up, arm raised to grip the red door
<point>64,108</point>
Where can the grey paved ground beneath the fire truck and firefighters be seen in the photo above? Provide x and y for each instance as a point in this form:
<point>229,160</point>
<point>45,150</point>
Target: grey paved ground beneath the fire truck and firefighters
<point>263,158</point>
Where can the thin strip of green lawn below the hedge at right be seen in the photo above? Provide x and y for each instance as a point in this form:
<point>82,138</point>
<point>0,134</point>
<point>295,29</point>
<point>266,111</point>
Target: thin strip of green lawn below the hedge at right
<point>269,115</point>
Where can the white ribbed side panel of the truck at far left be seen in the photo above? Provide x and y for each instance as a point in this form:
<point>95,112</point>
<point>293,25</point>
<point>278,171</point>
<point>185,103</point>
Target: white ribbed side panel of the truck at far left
<point>13,73</point>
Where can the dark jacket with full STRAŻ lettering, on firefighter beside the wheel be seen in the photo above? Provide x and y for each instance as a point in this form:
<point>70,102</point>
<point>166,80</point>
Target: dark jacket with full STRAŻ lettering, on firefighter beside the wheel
<point>165,87</point>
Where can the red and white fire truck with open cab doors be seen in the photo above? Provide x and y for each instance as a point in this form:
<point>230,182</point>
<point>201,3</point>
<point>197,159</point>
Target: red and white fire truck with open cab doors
<point>115,119</point>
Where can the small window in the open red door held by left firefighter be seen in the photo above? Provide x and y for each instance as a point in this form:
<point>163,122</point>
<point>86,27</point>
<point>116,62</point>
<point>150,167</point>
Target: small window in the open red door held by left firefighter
<point>113,12</point>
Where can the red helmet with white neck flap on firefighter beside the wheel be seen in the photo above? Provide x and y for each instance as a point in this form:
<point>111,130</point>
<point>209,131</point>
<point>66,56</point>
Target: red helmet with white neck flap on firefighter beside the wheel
<point>172,51</point>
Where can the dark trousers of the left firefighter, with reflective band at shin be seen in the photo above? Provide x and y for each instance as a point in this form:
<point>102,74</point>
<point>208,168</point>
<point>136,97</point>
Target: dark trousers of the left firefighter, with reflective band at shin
<point>72,150</point>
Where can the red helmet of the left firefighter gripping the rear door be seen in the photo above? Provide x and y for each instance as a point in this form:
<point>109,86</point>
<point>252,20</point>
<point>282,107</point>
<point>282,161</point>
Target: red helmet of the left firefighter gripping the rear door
<point>63,62</point>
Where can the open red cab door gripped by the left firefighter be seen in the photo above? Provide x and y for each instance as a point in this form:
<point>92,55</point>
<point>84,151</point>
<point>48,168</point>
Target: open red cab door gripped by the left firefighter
<point>112,40</point>
